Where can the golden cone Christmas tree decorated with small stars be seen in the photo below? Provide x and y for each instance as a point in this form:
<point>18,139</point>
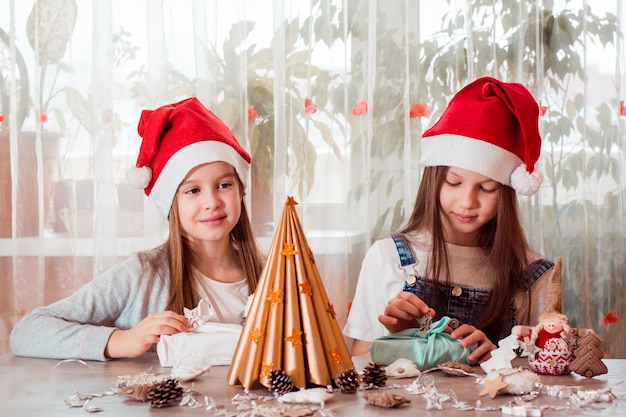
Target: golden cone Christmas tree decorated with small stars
<point>291,324</point>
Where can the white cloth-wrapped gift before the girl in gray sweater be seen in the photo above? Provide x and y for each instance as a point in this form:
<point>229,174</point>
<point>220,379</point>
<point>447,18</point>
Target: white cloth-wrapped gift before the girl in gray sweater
<point>212,342</point>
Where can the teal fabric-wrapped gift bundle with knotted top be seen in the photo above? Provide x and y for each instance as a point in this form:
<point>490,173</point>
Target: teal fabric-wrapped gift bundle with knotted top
<point>426,348</point>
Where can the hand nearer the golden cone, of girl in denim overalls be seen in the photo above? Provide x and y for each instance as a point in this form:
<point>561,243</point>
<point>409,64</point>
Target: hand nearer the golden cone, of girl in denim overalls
<point>402,310</point>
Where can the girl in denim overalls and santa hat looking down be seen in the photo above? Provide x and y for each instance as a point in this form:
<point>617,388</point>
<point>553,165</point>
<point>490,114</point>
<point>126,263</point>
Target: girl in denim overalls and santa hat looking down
<point>463,252</point>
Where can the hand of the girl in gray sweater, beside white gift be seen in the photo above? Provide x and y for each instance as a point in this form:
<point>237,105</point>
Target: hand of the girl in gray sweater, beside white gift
<point>136,341</point>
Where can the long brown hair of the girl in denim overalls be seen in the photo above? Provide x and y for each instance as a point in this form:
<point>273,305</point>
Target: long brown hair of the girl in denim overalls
<point>502,239</point>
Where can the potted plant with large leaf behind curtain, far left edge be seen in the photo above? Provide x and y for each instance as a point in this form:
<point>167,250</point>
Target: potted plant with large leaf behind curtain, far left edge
<point>49,28</point>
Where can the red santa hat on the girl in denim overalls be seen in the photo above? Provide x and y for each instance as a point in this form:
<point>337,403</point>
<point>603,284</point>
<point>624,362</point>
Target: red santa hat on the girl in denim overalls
<point>489,127</point>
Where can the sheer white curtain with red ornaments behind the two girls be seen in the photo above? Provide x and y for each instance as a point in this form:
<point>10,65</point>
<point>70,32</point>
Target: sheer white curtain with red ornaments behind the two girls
<point>330,97</point>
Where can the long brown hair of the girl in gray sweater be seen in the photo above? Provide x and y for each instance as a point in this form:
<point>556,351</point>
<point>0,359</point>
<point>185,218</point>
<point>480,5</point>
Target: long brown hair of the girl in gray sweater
<point>183,288</point>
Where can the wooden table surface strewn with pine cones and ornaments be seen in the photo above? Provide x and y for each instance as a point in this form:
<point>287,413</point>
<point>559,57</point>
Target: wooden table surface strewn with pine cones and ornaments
<point>40,387</point>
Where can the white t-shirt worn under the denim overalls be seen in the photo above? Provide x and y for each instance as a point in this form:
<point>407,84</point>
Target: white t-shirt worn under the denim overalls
<point>382,278</point>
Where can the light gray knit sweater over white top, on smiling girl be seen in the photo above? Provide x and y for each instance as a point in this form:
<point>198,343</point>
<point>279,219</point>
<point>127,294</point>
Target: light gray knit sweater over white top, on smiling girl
<point>79,326</point>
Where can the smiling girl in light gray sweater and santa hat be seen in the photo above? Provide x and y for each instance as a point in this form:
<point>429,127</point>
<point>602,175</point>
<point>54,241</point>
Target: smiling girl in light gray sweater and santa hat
<point>194,170</point>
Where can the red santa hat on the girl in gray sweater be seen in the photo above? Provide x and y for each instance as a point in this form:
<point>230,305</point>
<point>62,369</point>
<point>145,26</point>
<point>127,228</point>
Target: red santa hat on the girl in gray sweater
<point>177,138</point>
